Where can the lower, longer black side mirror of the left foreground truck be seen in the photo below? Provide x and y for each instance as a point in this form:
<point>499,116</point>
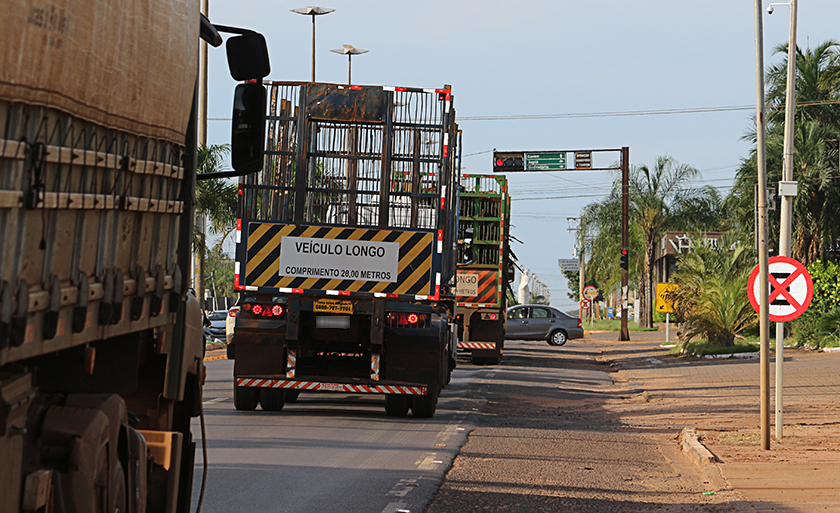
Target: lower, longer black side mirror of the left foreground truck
<point>248,128</point>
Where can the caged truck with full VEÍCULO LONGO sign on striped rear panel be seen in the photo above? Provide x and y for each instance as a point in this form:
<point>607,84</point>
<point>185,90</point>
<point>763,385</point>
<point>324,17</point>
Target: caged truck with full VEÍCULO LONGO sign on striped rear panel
<point>345,256</point>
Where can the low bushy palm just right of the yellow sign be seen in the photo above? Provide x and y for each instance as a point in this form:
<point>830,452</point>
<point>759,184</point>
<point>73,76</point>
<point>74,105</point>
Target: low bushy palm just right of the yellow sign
<point>712,296</point>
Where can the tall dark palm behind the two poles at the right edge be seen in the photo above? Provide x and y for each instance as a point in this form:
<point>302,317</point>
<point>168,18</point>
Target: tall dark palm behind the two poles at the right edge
<point>816,139</point>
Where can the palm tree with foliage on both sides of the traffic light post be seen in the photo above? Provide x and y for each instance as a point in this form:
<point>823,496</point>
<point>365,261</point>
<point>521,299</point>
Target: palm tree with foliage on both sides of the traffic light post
<point>661,199</point>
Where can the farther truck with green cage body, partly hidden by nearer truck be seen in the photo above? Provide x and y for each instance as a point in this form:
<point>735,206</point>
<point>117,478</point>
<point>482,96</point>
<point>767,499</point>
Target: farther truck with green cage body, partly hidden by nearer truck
<point>484,266</point>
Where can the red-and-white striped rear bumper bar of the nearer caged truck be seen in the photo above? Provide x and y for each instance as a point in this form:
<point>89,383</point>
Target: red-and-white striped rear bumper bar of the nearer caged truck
<point>379,387</point>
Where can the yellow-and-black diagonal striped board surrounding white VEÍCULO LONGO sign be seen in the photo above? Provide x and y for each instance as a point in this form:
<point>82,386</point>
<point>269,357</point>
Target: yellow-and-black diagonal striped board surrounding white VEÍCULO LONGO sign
<point>262,259</point>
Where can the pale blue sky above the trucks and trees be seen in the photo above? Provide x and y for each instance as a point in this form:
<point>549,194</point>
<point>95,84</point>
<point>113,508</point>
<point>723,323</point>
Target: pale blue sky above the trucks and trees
<point>546,57</point>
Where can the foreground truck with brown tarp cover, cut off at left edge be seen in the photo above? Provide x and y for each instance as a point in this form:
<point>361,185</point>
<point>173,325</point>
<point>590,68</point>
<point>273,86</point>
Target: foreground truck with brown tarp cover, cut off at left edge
<point>101,347</point>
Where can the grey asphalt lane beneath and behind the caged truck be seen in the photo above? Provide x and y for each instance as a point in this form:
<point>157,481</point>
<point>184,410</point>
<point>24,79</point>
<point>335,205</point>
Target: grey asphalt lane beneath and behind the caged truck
<point>331,452</point>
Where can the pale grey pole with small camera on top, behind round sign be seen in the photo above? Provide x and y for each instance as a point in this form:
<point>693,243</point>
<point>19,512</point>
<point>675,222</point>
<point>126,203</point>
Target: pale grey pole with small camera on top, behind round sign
<point>787,192</point>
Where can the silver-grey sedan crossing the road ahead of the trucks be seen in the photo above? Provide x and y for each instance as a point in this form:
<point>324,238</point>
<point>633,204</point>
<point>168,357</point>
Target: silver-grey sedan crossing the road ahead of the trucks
<point>539,322</point>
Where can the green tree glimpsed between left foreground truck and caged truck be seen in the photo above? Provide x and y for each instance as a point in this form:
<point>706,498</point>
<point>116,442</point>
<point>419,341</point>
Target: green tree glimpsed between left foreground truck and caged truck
<point>217,199</point>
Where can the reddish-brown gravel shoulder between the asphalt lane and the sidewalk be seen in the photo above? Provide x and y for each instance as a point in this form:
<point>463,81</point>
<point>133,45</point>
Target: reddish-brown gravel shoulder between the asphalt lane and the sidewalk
<point>550,440</point>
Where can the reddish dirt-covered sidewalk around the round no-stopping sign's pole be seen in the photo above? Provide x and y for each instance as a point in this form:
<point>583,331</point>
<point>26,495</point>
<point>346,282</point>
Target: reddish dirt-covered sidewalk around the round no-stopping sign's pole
<point>720,398</point>
